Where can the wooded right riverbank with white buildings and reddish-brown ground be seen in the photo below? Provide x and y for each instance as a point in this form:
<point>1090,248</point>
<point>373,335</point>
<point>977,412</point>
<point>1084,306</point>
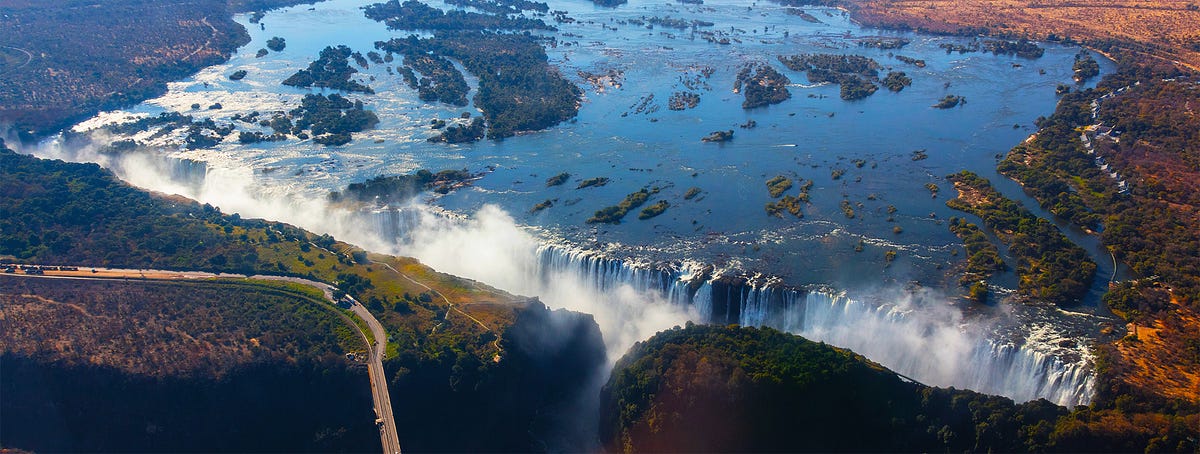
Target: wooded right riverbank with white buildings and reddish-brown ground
<point>1144,210</point>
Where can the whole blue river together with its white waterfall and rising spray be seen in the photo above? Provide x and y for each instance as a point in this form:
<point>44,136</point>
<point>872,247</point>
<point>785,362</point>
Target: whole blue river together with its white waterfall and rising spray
<point>805,276</point>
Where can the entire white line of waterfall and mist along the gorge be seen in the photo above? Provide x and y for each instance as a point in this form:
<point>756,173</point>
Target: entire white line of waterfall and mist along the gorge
<point>916,334</point>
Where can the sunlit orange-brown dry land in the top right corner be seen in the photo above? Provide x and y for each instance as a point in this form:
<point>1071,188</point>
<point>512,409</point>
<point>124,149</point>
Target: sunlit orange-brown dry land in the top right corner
<point>1162,29</point>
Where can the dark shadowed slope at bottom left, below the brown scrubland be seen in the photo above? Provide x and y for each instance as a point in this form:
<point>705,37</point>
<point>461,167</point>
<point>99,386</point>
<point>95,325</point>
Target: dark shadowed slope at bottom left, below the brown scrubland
<point>52,407</point>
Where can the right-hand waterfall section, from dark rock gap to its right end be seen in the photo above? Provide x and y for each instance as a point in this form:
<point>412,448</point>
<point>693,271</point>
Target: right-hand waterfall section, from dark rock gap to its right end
<point>935,348</point>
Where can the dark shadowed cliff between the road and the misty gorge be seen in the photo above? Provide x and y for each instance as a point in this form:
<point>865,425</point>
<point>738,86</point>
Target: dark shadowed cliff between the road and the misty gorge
<point>541,397</point>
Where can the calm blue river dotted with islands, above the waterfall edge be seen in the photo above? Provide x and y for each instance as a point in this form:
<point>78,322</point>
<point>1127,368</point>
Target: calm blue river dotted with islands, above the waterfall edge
<point>806,139</point>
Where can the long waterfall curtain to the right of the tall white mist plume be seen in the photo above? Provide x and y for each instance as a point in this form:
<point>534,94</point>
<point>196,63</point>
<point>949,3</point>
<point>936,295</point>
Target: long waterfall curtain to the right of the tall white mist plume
<point>932,345</point>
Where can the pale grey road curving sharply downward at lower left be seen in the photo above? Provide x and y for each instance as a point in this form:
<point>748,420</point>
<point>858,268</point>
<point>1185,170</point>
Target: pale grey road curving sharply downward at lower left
<point>375,356</point>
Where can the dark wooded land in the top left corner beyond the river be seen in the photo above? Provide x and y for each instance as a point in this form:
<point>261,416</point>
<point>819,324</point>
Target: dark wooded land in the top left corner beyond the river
<point>104,58</point>
